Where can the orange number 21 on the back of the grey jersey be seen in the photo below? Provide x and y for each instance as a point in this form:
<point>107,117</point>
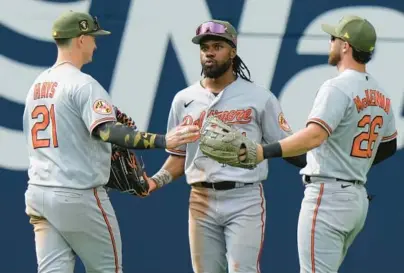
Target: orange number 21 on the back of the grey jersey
<point>48,118</point>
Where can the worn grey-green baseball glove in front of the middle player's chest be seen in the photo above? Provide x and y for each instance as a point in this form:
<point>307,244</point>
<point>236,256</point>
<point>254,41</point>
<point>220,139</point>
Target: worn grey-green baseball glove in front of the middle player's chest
<point>223,143</point>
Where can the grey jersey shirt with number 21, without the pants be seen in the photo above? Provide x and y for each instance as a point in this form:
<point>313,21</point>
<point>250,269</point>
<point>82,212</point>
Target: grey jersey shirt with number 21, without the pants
<point>62,108</point>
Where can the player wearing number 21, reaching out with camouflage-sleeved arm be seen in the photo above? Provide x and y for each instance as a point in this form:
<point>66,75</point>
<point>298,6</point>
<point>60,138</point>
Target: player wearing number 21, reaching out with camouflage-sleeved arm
<point>69,124</point>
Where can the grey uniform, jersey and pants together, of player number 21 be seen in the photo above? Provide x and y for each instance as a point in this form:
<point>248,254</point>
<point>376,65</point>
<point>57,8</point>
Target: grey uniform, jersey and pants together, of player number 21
<point>66,201</point>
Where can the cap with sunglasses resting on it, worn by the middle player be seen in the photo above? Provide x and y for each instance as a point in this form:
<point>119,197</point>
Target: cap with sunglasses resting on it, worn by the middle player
<point>216,28</point>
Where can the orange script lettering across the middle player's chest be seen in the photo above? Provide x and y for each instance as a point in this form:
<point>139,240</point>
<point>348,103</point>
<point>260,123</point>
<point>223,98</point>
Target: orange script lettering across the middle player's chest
<point>240,116</point>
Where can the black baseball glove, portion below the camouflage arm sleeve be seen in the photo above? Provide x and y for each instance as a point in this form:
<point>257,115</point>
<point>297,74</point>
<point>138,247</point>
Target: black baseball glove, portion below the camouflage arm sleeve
<point>127,174</point>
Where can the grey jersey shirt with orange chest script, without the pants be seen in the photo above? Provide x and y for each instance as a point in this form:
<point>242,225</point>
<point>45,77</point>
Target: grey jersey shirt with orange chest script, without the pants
<point>251,109</point>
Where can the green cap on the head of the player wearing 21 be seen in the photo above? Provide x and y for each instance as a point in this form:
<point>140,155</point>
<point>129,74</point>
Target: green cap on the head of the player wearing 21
<point>72,24</point>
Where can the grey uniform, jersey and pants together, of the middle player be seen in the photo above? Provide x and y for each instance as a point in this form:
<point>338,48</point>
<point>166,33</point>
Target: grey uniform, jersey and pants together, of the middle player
<point>226,228</point>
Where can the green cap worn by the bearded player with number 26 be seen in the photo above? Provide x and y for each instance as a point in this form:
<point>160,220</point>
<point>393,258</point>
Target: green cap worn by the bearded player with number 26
<point>358,32</point>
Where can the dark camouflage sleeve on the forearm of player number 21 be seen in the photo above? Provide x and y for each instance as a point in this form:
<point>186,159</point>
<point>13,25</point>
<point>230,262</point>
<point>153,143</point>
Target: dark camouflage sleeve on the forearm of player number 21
<point>122,135</point>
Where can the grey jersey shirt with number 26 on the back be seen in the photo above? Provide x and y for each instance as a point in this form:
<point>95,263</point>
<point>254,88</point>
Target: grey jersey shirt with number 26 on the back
<point>357,114</point>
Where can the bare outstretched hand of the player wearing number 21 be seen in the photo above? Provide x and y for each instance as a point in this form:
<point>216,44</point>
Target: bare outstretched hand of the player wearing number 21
<point>182,134</point>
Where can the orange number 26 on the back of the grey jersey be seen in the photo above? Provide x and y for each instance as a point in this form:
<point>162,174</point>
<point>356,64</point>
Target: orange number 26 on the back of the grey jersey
<point>369,136</point>
